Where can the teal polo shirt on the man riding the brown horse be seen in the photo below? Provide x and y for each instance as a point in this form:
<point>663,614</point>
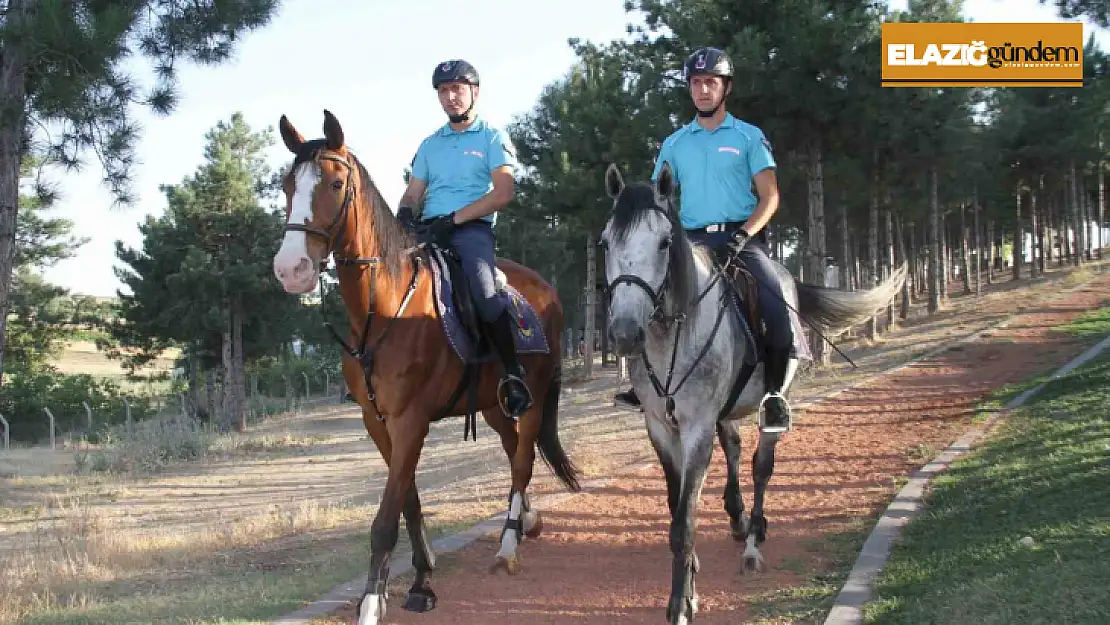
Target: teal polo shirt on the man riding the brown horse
<point>457,166</point>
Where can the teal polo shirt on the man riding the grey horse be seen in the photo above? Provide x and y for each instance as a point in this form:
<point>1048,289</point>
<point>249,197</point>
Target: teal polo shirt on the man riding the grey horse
<point>715,169</point>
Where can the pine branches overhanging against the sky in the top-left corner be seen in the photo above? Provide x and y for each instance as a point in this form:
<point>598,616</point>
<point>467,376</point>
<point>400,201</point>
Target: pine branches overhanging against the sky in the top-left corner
<point>76,85</point>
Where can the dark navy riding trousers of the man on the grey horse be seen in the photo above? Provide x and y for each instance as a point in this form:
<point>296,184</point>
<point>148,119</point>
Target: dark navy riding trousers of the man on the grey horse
<point>756,257</point>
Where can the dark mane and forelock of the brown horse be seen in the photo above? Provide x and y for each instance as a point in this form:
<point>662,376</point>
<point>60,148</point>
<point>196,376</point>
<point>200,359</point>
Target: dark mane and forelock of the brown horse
<point>390,238</point>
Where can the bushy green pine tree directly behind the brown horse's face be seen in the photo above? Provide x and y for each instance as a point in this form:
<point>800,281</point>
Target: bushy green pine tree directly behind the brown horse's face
<point>207,254</point>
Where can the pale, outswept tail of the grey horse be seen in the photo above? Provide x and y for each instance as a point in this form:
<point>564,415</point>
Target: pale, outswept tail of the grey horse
<point>834,309</point>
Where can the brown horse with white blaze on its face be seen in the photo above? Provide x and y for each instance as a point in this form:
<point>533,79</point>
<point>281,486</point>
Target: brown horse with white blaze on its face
<point>398,362</point>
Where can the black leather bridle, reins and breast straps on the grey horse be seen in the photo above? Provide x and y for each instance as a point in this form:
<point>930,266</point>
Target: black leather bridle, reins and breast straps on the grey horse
<point>659,316</point>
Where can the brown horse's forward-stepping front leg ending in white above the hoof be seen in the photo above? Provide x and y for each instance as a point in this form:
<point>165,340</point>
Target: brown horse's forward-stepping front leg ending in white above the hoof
<point>407,434</point>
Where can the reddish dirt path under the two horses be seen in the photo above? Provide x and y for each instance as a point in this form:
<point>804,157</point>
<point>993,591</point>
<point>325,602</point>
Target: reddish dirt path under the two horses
<point>604,556</point>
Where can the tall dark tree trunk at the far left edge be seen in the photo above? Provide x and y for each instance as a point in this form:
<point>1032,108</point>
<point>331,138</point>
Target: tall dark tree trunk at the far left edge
<point>13,124</point>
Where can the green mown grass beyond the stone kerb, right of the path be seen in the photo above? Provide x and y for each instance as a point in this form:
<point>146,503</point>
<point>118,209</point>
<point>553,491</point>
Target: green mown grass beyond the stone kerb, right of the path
<point>1018,531</point>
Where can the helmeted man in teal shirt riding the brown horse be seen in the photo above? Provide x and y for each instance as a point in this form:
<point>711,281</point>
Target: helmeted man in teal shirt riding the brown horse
<point>463,174</point>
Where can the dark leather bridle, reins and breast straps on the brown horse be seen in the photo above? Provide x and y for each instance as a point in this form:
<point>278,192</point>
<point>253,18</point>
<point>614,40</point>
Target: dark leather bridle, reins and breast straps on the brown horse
<point>332,236</point>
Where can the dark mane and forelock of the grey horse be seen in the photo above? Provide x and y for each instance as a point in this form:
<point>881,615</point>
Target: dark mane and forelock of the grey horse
<point>638,200</point>
